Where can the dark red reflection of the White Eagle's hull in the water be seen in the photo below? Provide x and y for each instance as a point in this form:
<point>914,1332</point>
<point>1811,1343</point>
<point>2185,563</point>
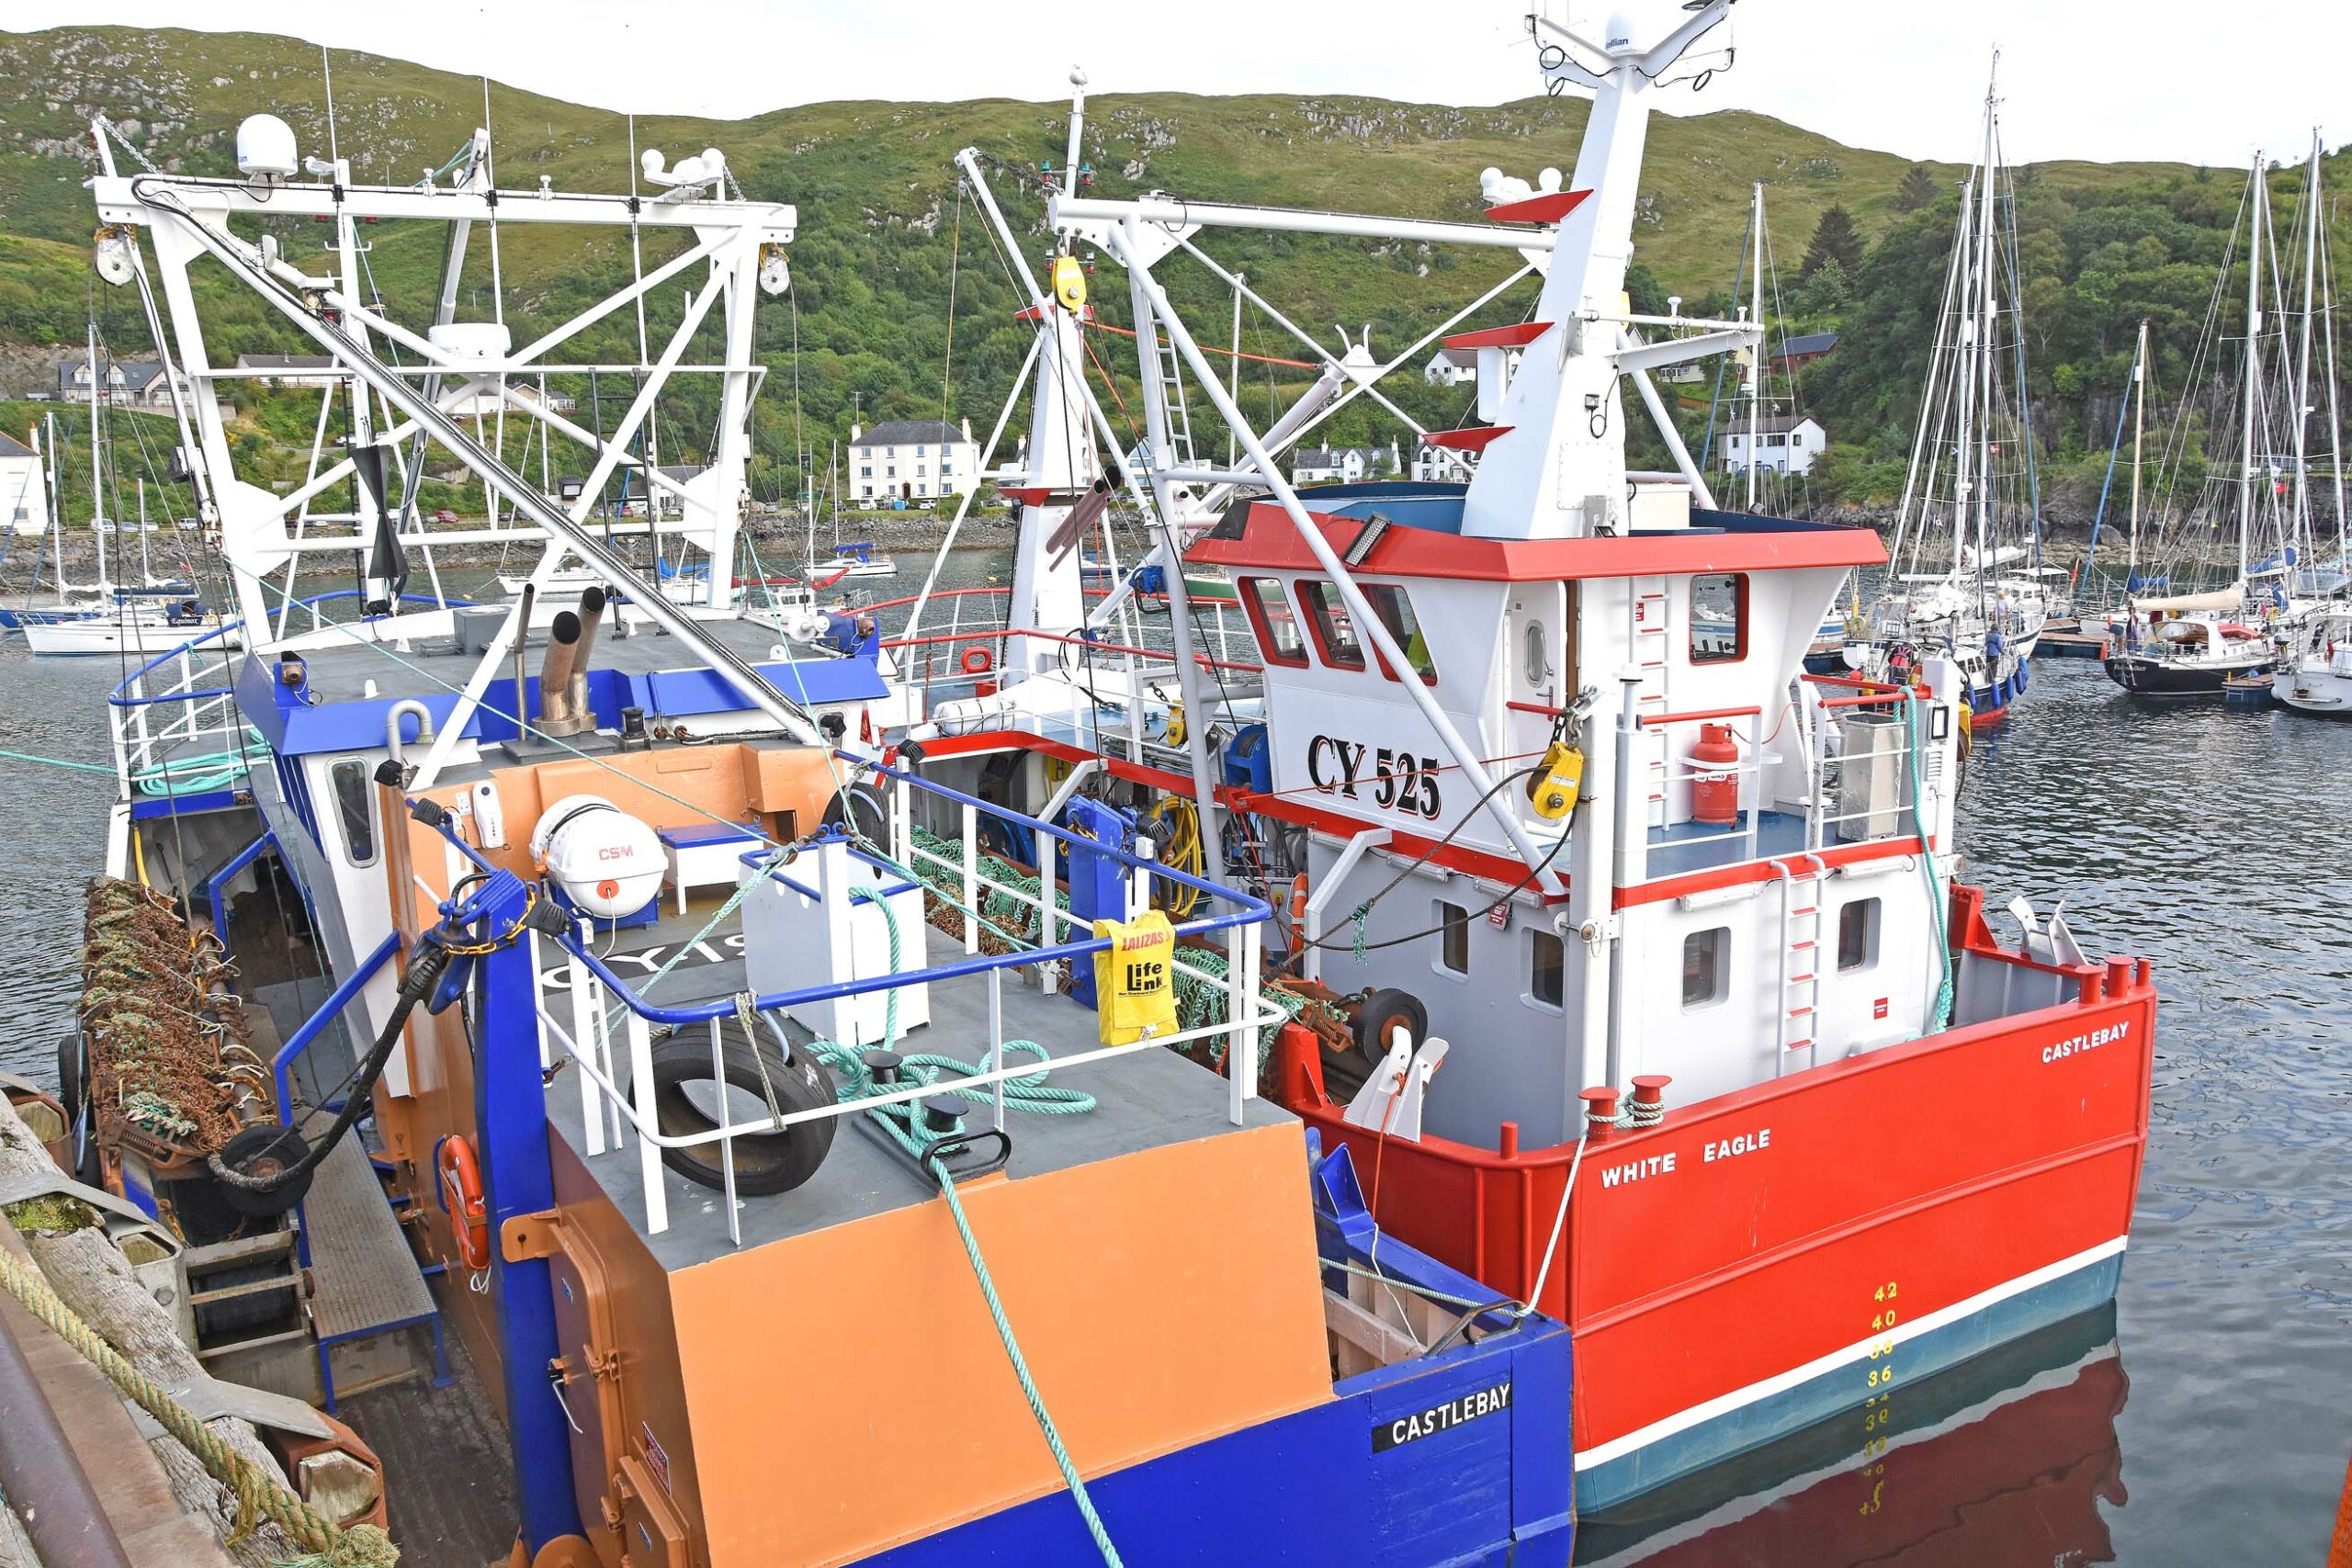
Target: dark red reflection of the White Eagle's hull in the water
<point>2000,1461</point>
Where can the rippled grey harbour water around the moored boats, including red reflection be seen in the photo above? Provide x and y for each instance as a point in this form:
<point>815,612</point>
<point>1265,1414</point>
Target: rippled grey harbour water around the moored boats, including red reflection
<point>2210,1428</point>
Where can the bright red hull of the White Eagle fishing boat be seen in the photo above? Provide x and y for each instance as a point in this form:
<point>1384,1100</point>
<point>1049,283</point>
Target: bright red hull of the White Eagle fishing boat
<point>1798,1226</point>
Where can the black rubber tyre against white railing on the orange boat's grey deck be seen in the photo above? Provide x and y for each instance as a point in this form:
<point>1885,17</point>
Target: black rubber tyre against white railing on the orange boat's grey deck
<point>766,1162</point>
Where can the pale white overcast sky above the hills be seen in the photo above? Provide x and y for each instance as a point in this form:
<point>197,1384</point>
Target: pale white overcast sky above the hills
<point>2080,81</point>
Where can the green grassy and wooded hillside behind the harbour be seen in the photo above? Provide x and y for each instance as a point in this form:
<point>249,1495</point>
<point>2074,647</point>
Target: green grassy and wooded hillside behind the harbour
<point>886,234</point>
